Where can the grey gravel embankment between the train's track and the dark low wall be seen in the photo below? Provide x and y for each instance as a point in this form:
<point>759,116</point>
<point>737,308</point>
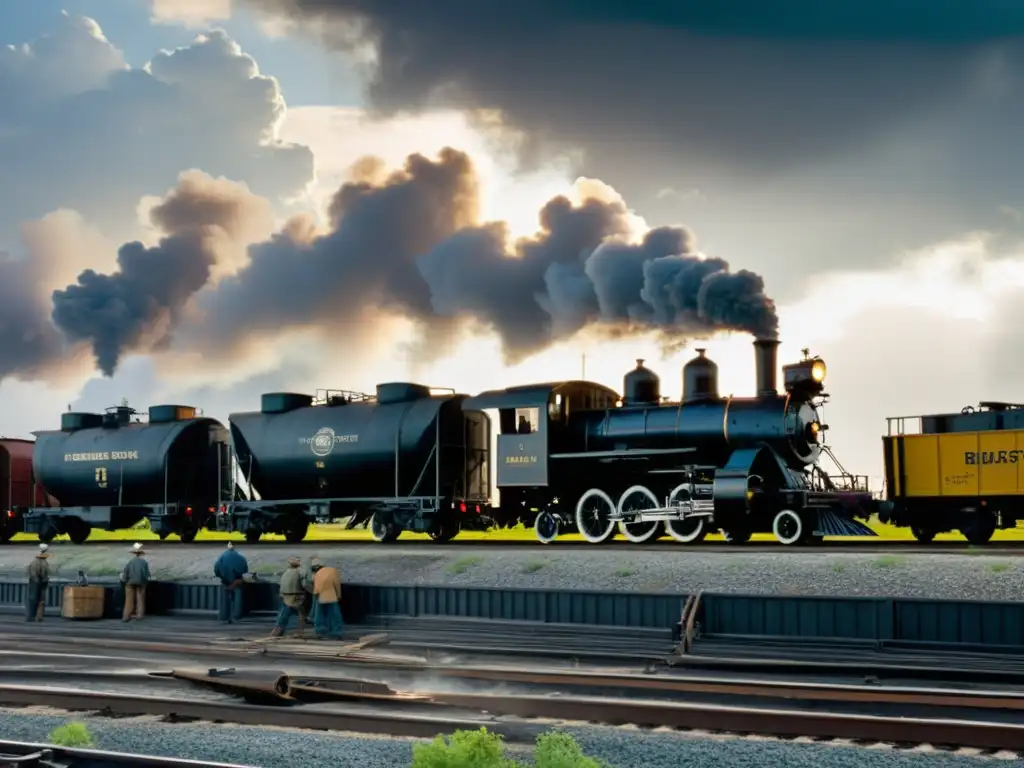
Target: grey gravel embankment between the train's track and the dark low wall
<point>969,577</point>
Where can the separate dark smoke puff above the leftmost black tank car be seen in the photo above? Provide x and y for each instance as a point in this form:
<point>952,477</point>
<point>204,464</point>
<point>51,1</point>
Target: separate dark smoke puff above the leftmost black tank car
<point>138,308</point>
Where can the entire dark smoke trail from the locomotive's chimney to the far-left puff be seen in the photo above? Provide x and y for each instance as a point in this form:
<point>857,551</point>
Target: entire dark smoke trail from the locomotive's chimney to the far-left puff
<point>409,243</point>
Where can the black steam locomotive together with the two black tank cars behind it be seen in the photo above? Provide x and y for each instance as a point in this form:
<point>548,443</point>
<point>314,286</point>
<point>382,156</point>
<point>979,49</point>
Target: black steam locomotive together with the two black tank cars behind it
<point>572,456</point>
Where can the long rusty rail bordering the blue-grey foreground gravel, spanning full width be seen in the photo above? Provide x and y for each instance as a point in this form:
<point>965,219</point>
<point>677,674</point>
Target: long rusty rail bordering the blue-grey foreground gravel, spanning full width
<point>782,723</point>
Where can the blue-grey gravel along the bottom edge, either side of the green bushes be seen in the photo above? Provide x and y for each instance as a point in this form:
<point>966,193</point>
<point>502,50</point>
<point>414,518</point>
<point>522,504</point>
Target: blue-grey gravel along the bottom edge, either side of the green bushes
<point>622,748</point>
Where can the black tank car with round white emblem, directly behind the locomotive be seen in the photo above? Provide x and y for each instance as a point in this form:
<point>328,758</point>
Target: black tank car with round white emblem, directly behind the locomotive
<point>408,459</point>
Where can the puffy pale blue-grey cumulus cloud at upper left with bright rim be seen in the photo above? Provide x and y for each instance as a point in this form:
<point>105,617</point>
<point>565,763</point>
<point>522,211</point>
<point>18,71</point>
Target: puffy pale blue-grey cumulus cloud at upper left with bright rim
<point>83,132</point>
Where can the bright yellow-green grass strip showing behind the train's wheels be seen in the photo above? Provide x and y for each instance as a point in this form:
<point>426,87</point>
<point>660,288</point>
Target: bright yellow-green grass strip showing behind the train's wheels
<point>338,533</point>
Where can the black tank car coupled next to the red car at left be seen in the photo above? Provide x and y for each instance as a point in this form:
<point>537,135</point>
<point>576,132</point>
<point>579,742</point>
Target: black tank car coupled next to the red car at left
<point>113,471</point>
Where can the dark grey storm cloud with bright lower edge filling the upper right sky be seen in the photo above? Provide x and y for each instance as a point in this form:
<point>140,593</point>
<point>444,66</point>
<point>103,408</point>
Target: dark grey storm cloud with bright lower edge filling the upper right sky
<point>820,136</point>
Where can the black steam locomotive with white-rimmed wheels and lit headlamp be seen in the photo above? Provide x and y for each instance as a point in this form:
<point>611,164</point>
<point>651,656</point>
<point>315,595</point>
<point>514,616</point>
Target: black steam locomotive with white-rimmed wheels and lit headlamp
<point>574,457</point>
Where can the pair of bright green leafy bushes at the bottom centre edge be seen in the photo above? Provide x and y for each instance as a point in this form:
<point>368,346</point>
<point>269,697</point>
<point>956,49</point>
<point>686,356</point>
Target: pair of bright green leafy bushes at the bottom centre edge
<point>485,750</point>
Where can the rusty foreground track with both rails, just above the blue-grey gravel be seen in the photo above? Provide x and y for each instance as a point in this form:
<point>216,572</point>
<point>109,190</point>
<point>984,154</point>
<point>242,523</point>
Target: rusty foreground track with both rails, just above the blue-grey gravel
<point>335,705</point>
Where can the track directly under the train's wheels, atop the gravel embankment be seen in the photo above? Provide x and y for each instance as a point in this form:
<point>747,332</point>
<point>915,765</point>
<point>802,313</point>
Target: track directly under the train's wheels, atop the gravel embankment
<point>831,545</point>
